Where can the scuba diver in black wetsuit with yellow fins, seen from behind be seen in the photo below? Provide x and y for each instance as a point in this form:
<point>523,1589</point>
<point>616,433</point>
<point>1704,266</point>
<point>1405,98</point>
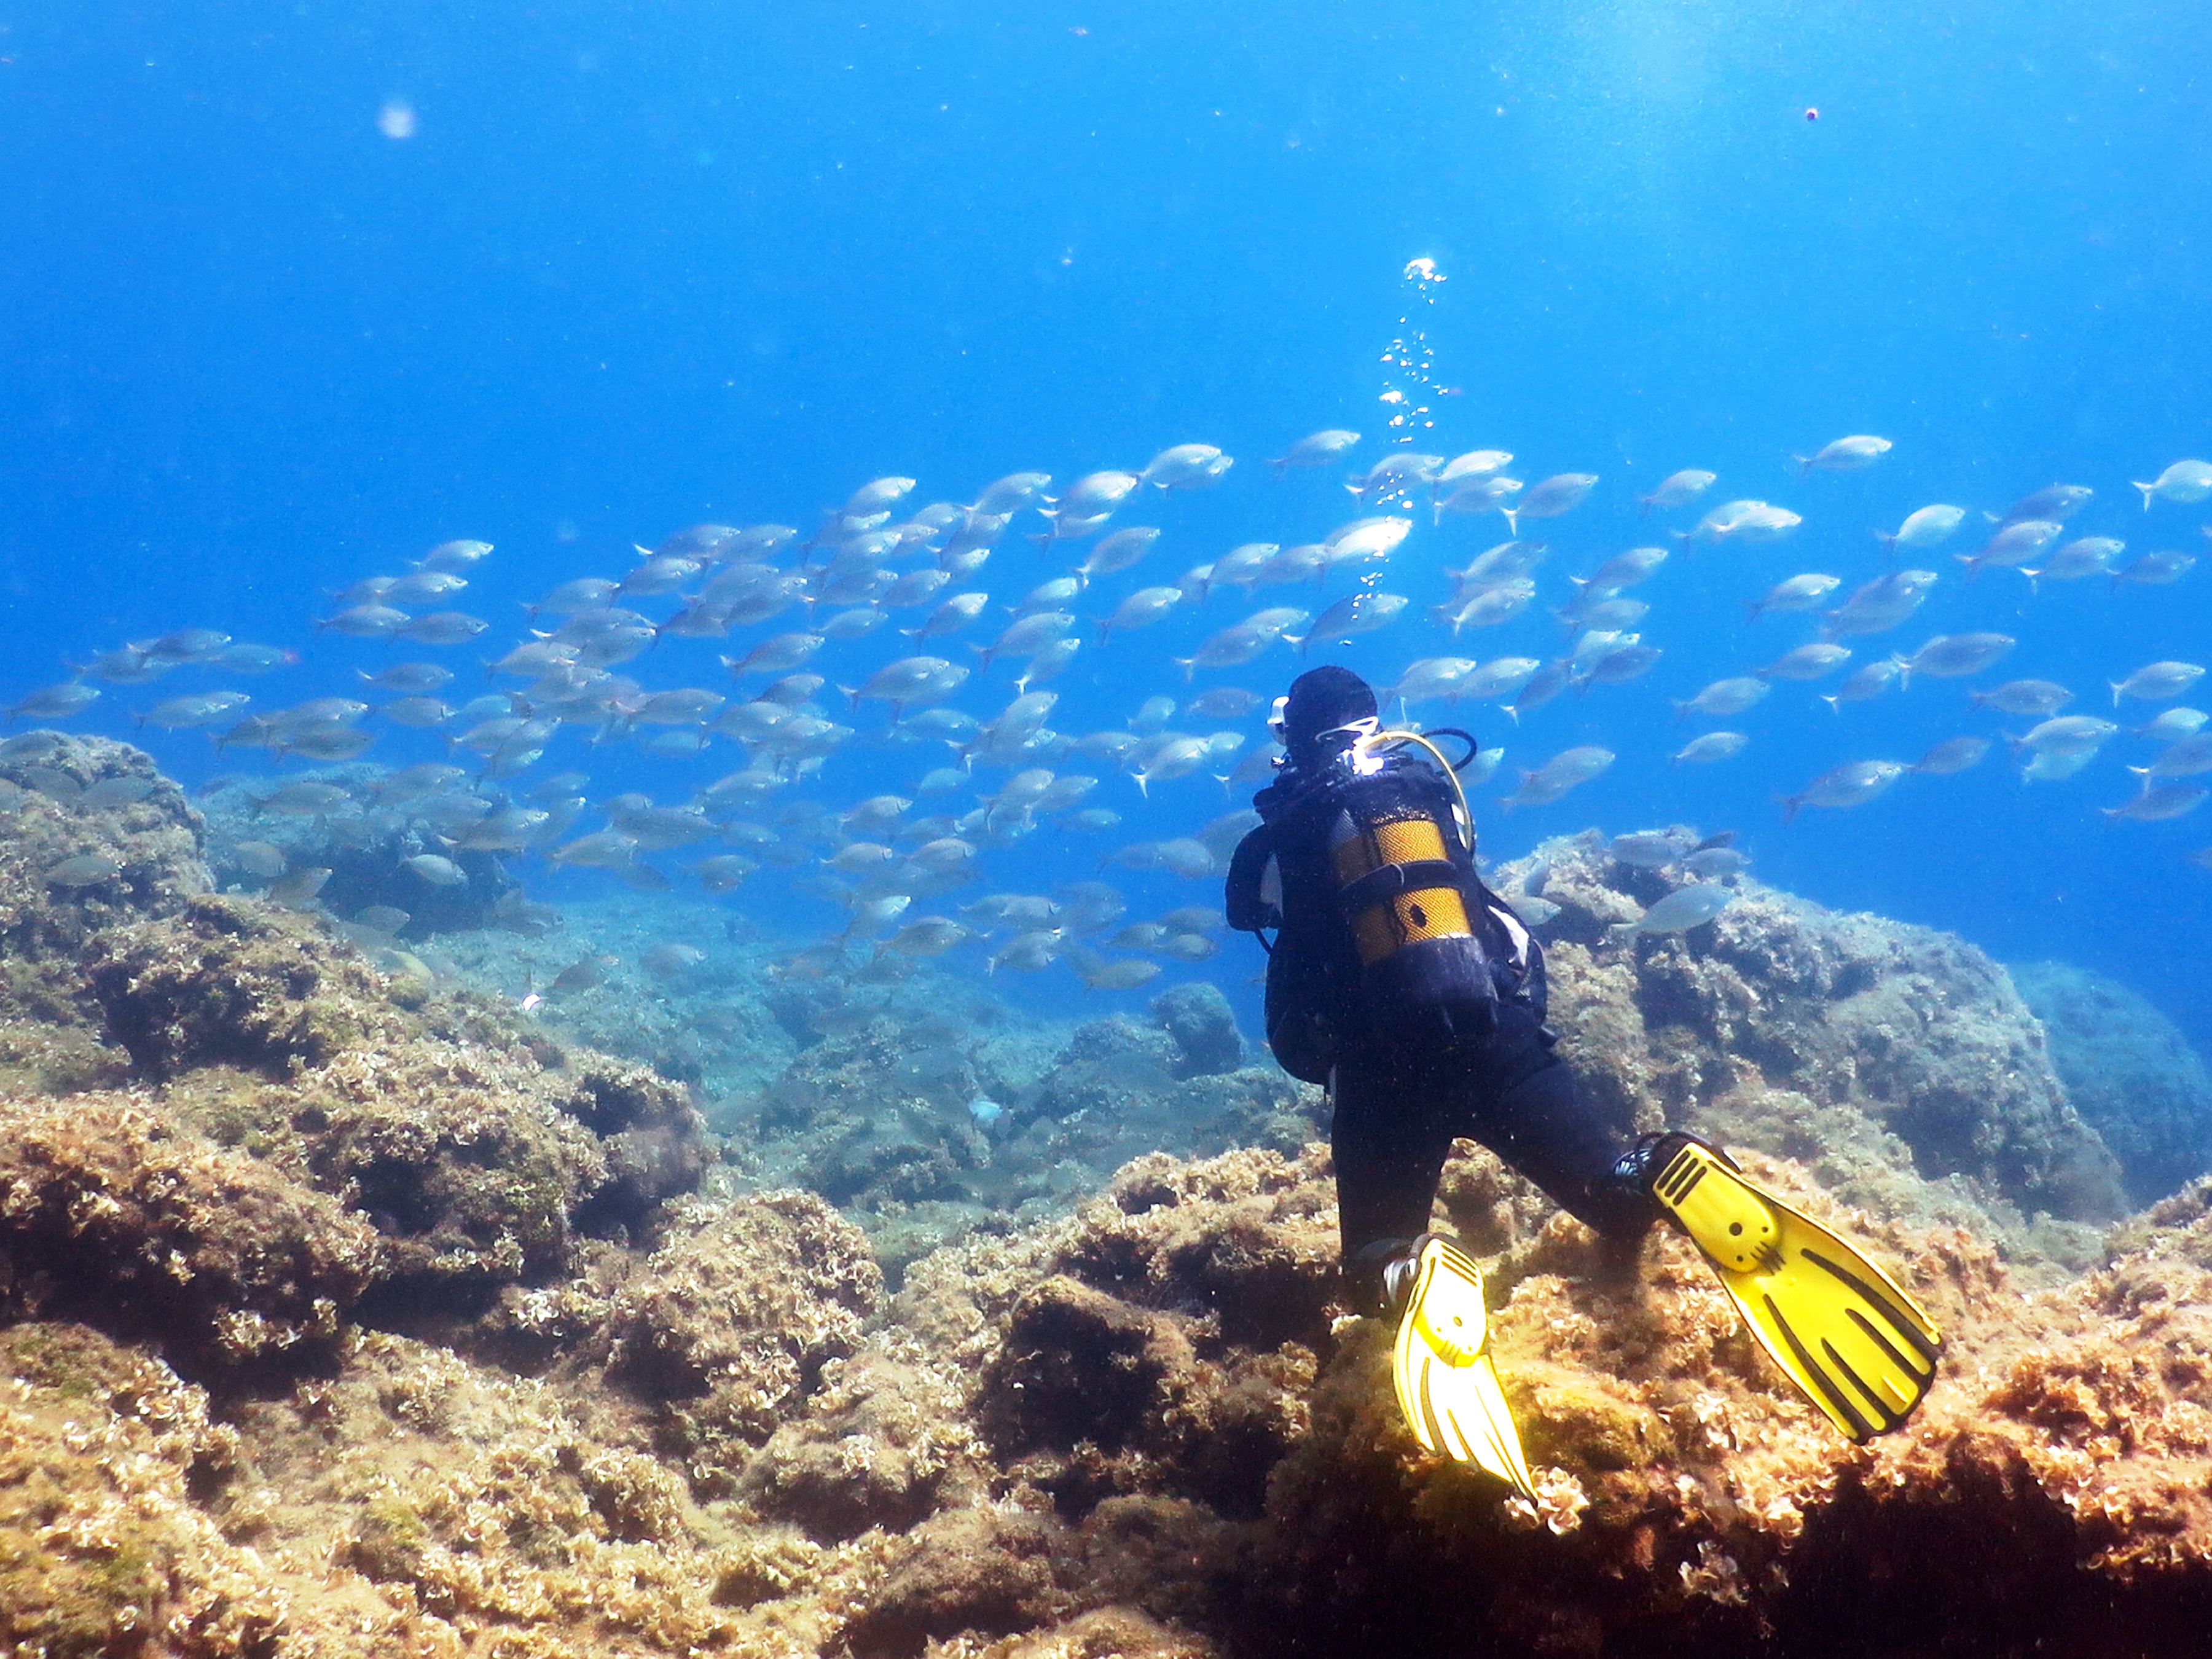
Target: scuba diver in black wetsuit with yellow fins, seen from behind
<point>1417,997</point>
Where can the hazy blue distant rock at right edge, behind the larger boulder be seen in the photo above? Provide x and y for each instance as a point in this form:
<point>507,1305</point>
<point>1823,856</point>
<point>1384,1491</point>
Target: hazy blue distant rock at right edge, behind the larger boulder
<point>2129,1072</point>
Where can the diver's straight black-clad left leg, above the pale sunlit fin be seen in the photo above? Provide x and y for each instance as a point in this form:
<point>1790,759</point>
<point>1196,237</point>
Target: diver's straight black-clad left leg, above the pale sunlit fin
<point>1390,1151</point>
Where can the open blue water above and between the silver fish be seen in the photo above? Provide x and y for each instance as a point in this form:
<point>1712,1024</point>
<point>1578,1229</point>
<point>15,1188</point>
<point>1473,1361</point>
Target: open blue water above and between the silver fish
<point>298,291</point>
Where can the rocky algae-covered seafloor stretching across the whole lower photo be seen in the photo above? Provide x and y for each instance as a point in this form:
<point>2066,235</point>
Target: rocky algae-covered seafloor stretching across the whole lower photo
<point>348,1308</point>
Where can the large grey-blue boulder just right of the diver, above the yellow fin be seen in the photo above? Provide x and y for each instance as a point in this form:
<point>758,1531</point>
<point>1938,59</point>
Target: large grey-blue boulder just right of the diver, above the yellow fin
<point>1912,1027</point>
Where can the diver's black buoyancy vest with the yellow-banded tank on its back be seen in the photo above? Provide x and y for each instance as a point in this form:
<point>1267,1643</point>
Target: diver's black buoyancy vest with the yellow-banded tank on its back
<point>1390,941</point>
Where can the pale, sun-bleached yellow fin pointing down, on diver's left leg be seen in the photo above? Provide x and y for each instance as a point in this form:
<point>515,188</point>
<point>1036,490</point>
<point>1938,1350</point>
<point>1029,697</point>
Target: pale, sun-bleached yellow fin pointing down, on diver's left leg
<point>1448,1386</point>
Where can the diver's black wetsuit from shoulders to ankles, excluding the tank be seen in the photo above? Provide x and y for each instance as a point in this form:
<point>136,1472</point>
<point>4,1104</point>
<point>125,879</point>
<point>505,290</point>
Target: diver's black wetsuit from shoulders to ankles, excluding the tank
<point>1410,1081</point>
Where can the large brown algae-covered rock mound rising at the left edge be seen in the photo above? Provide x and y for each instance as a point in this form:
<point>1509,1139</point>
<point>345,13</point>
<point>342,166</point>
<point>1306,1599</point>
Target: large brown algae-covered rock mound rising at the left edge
<point>437,1129</point>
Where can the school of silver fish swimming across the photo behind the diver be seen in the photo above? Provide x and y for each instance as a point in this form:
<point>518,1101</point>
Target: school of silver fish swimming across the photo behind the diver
<point>881,691</point>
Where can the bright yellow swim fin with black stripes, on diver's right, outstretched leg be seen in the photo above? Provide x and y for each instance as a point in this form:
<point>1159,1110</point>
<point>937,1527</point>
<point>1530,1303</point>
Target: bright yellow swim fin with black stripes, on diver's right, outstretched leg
<point>1846,1333</point>
